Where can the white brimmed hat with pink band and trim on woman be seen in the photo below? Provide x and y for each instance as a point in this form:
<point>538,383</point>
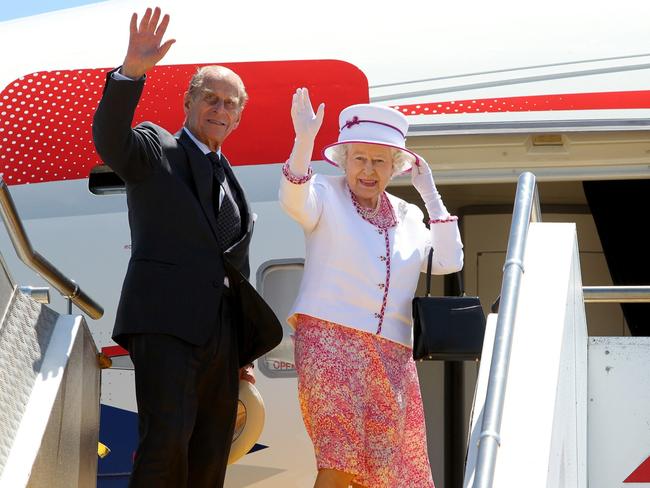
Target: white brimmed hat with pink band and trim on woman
<point>373,124</point>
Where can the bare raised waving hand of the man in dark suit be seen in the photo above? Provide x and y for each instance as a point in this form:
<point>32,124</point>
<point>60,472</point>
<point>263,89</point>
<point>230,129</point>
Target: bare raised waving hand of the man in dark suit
<point>145,49</point>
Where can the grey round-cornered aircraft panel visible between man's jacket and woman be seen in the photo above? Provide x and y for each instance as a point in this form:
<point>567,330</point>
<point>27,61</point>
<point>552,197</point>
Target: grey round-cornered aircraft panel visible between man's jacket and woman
<point>278,282</point>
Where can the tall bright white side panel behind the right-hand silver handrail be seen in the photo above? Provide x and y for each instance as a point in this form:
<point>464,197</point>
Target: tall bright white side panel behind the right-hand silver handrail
<point>543,432</point>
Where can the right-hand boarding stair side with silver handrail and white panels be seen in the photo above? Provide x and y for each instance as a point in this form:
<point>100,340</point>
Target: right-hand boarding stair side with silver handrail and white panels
<point>554,407</point>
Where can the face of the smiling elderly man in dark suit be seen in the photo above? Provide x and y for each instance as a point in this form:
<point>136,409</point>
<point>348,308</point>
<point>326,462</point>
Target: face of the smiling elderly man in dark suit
<point>213,110</point>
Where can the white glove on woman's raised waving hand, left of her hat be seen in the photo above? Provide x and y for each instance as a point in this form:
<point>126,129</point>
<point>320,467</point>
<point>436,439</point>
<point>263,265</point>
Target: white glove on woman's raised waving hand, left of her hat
<point>306,124</point>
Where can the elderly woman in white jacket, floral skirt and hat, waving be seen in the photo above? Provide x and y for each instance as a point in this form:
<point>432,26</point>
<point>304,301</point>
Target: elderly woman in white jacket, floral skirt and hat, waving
<point>358,385</point>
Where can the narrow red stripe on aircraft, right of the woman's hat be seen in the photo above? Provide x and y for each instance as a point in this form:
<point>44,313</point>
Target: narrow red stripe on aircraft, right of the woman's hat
<point>536,103</point>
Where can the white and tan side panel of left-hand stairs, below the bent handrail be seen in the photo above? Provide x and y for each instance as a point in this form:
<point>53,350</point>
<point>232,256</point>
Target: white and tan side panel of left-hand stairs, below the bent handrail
<point>56,441</point>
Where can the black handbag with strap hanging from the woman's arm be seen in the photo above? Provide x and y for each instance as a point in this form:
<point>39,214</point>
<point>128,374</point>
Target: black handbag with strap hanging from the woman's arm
<point>447,328</point>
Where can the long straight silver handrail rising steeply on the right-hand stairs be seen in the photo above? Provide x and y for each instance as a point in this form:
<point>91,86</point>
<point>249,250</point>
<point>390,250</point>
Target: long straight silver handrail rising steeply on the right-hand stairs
<point>526,209</point>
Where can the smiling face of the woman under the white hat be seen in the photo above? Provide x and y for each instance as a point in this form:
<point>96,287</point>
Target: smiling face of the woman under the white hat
<point>369,169</point>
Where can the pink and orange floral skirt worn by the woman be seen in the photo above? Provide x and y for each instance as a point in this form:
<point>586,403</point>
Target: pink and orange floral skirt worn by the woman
<point>360,401</point>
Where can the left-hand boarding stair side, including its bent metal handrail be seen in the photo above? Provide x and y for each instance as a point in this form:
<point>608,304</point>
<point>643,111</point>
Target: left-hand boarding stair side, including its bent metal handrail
<point>49,376</point>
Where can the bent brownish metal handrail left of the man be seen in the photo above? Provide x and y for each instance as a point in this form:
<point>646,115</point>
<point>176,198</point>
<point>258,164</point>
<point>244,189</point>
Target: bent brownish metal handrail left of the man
<point>38,263</point>
